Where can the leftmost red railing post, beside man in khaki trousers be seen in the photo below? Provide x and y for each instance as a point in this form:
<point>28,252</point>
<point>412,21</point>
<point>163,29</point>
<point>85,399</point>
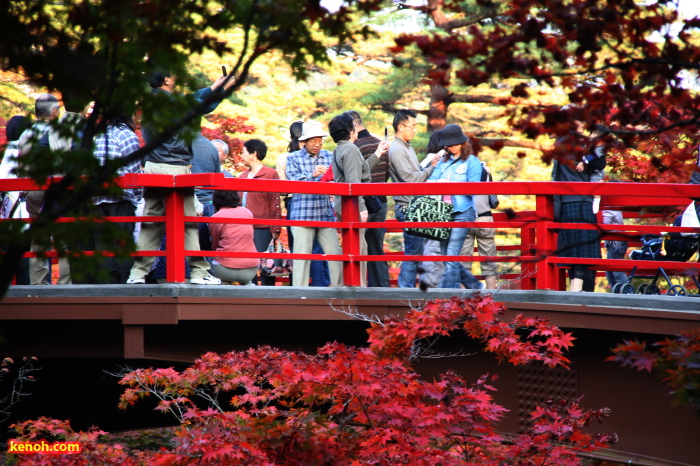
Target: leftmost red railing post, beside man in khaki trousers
<point>175,236</point>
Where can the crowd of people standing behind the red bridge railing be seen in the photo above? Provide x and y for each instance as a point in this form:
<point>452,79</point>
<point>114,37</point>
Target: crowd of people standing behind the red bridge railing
<point>358,157</point>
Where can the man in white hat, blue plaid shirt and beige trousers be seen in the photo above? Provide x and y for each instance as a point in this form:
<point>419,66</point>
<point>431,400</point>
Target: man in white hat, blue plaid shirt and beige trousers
<point>310,164</point>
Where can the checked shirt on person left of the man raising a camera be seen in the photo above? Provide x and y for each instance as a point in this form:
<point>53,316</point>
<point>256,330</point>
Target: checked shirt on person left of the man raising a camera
<point>118,142</point>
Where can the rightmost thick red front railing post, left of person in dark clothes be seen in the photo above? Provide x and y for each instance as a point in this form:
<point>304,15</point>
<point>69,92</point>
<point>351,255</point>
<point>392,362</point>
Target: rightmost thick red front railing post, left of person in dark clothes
<point>546,244</point>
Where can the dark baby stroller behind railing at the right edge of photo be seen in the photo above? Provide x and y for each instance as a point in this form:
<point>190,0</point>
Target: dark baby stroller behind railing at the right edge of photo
<point>671,247</point>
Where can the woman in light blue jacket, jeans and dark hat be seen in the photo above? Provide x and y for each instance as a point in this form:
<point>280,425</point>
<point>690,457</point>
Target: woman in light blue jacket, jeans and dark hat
<point>458,165</point>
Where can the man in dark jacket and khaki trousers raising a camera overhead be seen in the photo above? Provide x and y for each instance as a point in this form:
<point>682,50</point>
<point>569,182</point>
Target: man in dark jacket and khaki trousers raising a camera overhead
<point>172,157</point>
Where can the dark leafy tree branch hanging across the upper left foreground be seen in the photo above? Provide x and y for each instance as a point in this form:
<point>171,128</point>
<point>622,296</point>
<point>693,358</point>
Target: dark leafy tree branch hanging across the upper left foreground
<point>105,63</point>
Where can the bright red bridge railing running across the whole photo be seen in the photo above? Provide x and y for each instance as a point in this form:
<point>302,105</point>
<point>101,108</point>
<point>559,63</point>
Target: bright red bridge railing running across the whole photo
<point>540,267</point>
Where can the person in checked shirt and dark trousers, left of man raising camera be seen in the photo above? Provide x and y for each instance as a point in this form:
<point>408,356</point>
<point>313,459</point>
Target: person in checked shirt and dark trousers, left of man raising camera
<point>118,142</point>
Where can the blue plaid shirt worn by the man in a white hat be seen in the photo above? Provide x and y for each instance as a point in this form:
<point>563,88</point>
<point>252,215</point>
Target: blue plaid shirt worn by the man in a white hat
<point>313,207</point>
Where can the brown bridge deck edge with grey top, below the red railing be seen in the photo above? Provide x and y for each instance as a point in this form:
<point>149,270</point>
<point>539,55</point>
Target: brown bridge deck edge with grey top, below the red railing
<point>136,308</point>
